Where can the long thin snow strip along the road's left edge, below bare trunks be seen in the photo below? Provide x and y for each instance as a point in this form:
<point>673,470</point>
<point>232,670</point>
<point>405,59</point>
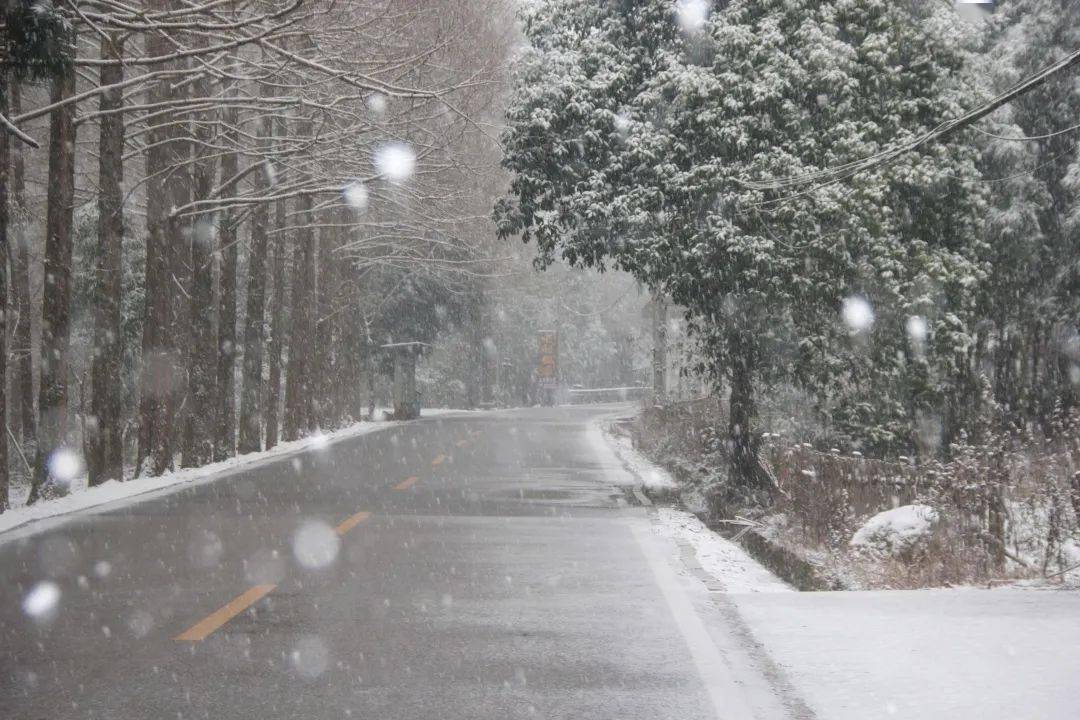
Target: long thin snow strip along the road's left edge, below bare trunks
<point>83,498</point>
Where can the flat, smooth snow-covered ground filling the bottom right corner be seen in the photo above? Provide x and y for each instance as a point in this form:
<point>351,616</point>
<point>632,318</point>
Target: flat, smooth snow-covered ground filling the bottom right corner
<point>941,655</point>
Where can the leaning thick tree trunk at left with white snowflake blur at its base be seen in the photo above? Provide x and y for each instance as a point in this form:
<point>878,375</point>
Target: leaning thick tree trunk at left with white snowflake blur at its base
<point>57,311</point>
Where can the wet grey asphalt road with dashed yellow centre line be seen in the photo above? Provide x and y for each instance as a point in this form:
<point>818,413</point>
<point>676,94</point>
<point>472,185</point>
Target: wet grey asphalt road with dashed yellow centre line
<point>477,566</point>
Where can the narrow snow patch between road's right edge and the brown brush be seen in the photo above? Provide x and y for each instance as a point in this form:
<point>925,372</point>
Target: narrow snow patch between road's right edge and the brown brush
<point>723,560</point>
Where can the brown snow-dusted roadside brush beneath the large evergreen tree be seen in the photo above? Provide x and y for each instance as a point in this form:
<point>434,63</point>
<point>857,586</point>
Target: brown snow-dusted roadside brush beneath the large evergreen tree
<point>1006,508</point>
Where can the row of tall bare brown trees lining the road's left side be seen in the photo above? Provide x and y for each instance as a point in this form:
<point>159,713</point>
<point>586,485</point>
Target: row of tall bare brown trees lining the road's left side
<point>240,202</point>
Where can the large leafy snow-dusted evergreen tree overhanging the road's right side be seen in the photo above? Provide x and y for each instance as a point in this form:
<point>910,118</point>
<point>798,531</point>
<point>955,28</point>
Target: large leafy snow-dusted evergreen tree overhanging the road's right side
<point>632,140</point>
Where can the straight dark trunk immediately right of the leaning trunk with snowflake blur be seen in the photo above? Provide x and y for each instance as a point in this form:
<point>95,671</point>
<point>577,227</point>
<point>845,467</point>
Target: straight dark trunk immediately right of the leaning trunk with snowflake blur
<point>105,442</point>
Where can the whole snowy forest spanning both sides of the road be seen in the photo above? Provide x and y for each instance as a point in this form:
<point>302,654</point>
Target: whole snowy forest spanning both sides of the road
<point>215,214</point>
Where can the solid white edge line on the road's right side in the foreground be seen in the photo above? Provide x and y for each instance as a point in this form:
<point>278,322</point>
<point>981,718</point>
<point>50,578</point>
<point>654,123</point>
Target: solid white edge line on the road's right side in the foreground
<point>727,699</point>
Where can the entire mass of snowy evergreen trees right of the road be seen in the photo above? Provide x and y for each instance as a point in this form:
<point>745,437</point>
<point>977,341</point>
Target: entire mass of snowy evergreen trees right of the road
<point>919,302</point>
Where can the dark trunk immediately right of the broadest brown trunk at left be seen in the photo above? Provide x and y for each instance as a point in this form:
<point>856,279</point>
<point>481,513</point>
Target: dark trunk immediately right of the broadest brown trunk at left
<point>202,378</point>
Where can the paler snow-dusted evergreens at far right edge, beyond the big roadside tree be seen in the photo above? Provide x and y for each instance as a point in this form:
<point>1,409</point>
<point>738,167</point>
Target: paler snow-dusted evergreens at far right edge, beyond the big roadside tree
<point>1031,162</point>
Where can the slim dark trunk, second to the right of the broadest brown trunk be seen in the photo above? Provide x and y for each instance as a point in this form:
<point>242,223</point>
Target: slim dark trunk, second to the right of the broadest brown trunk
<point>225,444</point>
